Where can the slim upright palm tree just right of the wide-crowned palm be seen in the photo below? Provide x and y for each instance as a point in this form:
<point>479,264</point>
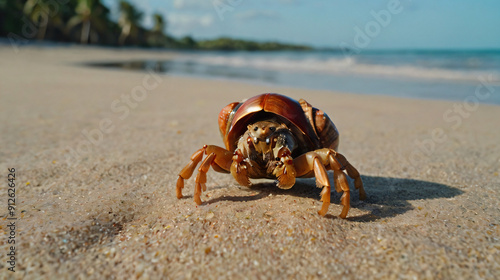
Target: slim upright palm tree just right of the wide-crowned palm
<point>129,21</point>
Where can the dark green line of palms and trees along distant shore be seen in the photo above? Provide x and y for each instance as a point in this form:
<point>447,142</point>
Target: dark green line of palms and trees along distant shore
<point>89,22</point>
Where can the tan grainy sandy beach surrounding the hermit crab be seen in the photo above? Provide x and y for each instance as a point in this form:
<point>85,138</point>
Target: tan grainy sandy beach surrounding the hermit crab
<point>96,154</point>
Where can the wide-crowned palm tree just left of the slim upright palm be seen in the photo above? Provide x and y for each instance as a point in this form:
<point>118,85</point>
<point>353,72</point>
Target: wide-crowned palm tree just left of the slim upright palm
<point>88,13</point>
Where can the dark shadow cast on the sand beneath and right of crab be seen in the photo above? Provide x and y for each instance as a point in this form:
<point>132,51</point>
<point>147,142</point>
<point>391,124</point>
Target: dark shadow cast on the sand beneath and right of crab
<point>386,197</point>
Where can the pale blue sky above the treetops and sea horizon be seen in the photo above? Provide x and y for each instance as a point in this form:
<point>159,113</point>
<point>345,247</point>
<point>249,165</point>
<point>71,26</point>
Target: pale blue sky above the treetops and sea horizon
<point>403,24</point>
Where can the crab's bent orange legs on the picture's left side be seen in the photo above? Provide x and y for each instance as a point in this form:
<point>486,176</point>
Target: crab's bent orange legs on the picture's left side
<point>219,158</point>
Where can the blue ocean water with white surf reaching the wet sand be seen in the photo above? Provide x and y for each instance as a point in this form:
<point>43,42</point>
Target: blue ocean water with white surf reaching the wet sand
<point>464,76</point>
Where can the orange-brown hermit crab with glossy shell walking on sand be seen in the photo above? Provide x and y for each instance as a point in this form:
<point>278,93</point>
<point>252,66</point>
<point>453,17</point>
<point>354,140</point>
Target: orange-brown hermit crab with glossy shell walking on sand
<point>273,136</point>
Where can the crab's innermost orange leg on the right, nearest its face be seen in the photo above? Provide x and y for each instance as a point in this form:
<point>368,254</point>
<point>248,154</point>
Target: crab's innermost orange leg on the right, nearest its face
<point>309,163</point>
